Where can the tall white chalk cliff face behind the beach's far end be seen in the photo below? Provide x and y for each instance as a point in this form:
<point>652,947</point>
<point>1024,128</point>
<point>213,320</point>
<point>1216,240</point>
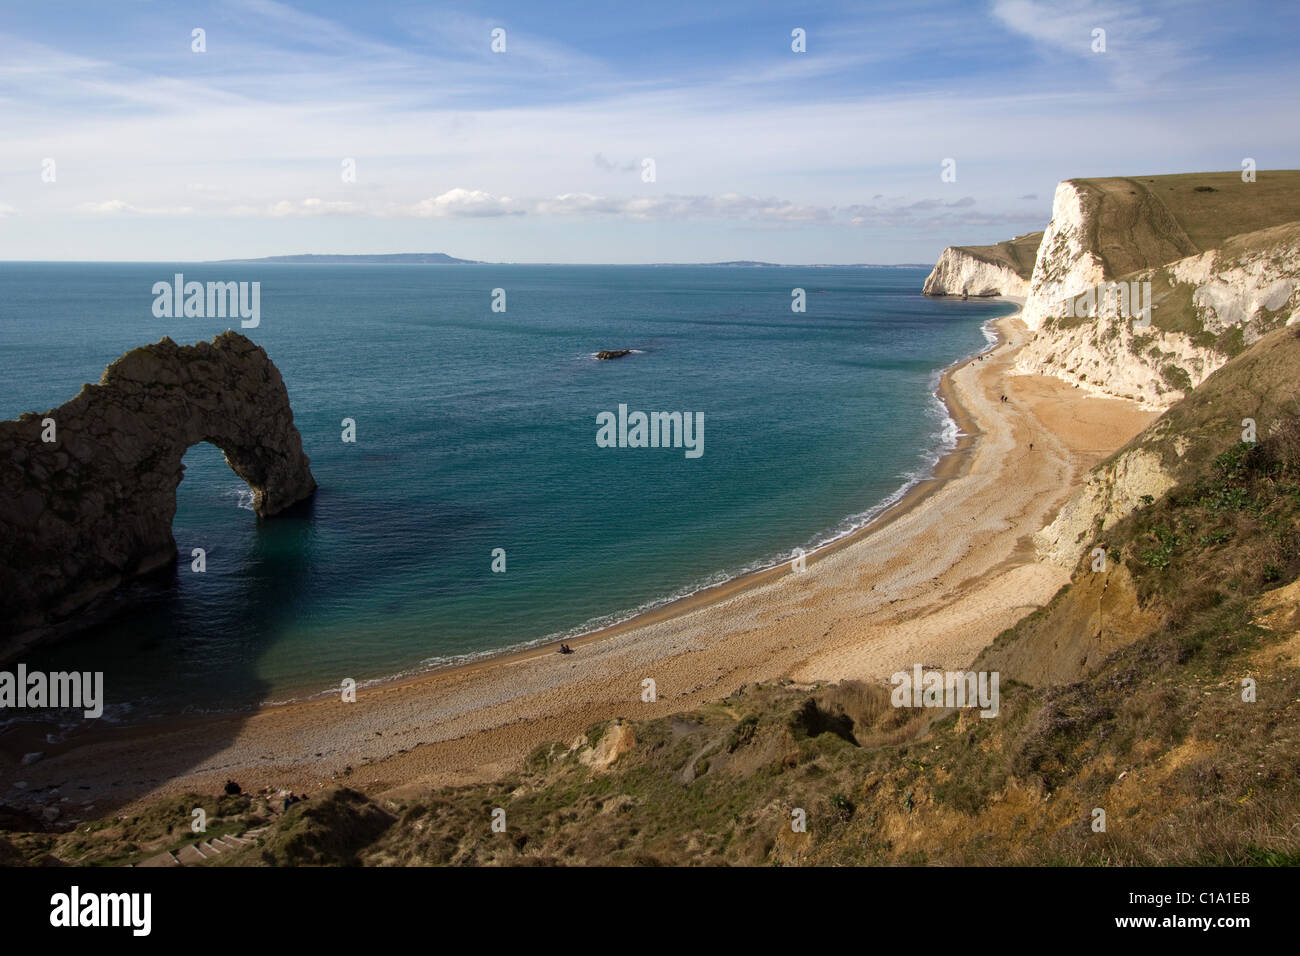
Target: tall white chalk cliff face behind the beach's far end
<point>1207,305</point>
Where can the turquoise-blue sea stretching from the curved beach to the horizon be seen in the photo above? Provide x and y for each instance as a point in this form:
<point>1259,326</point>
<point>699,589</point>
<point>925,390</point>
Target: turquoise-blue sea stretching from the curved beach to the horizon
<point>476,431</point>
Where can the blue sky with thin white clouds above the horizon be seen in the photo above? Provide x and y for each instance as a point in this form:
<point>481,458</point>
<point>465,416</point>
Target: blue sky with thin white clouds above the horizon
<point>610,133</point>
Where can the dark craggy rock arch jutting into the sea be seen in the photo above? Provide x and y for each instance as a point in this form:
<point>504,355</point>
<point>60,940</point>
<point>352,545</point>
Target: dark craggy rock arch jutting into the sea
<point>88,491</point>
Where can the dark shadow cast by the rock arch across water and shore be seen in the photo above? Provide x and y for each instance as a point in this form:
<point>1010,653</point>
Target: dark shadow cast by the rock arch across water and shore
<point>180,644</point>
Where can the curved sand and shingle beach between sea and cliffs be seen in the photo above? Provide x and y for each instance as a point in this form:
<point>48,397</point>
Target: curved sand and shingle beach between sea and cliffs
<point>934,581</point>
